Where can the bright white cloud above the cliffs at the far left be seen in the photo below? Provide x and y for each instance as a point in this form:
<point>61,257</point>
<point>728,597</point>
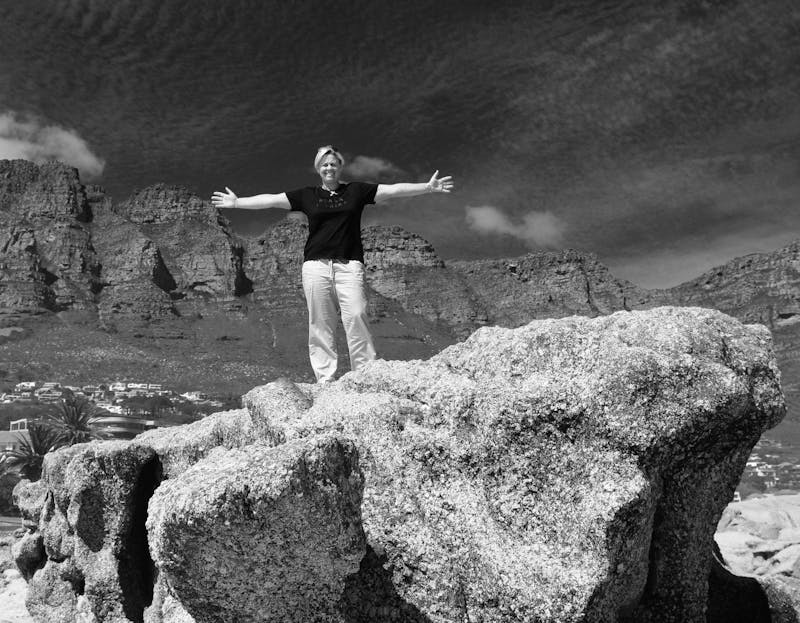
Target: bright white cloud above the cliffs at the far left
<point>32,140</point>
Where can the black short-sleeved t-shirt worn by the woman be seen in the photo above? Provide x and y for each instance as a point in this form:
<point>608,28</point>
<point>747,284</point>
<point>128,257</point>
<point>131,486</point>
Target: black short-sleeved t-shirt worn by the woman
<point>334,219</point>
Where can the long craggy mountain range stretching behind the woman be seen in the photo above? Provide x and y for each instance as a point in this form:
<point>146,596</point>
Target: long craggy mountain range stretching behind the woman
<point>159,287</point>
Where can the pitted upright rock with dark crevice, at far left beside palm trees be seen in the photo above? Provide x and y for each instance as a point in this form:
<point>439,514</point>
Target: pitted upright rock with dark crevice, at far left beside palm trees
<point>95,561</point>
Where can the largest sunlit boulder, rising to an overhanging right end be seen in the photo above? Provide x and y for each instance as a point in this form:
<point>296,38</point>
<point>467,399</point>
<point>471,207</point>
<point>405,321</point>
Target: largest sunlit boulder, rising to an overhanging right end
<point>569,470</point>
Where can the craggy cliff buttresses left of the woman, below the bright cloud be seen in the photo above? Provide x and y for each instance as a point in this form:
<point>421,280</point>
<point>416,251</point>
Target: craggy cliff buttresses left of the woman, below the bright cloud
<point>66,247</point>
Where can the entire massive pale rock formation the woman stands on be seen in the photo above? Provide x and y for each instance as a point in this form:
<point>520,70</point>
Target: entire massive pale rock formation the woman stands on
<point>567,470</point>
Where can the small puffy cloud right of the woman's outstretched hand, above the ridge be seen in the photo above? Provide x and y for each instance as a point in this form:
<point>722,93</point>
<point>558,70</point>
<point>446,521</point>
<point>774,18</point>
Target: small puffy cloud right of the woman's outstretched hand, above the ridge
<point>537,229</point>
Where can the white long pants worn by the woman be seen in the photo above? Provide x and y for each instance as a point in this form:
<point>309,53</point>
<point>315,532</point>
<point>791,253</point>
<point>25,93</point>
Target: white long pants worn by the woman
<point>330,287</point>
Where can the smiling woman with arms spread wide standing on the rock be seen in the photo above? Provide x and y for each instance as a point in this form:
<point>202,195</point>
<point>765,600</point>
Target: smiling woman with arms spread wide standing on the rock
<point>333,260</point>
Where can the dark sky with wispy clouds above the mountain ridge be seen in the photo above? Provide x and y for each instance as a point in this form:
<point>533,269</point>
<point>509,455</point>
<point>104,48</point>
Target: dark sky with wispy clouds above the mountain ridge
<point>664,137</point>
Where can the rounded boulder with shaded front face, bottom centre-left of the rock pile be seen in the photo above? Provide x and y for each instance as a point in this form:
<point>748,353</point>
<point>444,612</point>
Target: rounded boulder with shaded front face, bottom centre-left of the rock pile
<point>261,533</point>
